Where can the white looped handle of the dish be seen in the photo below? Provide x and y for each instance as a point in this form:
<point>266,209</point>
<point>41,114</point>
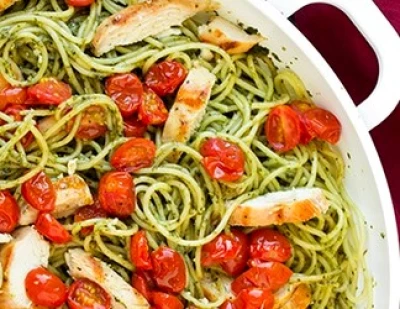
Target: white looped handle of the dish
<point>383,39</point>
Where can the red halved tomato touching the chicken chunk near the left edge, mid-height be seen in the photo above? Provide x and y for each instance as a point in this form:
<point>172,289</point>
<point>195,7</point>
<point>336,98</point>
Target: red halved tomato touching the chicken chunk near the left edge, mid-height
<point>39,192</point>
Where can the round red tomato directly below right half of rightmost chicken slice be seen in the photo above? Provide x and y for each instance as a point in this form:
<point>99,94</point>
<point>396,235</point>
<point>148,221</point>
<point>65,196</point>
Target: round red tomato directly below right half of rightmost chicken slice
<point>270,246</point>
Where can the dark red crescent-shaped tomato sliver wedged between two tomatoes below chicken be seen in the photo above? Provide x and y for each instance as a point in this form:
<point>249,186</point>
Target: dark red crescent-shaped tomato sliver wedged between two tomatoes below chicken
<point>235,266</point>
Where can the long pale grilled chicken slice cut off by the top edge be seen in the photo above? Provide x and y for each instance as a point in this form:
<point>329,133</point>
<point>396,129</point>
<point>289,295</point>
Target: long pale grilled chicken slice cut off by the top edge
<point>145,19</point>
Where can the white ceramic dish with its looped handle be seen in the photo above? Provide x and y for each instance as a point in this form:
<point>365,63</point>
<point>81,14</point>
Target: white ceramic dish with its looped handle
<point>365,180</point>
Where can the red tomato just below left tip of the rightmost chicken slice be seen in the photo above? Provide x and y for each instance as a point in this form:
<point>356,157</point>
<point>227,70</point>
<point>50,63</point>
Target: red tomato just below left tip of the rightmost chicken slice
<point>221,249</point>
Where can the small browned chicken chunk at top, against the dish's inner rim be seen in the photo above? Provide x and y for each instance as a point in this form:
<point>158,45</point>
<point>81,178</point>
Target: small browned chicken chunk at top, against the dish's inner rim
<point>228,36</point>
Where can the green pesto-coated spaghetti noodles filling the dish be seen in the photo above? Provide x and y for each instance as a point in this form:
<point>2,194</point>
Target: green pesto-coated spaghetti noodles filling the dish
<point>178,203</point>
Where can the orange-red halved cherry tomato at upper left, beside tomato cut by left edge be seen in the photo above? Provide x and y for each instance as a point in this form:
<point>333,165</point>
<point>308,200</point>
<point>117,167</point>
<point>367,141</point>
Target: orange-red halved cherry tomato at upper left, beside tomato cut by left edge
<point>49,91</point>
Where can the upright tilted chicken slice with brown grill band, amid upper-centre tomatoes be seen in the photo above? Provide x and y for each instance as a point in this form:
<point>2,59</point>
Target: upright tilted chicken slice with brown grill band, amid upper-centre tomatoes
<point>189,107</point>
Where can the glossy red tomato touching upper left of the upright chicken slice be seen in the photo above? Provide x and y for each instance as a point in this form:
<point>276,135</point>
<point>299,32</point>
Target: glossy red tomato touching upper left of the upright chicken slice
<point>165,77</point>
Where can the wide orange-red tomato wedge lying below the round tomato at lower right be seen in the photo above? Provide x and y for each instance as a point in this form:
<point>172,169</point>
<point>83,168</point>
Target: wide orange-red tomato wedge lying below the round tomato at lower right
<point>269,275</point>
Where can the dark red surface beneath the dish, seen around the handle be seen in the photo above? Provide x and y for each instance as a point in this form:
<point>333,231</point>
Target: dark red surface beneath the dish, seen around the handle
<point>353,60</point>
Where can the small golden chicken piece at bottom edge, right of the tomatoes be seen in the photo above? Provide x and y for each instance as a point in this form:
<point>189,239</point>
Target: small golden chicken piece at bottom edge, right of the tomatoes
<point>293,296</point>
